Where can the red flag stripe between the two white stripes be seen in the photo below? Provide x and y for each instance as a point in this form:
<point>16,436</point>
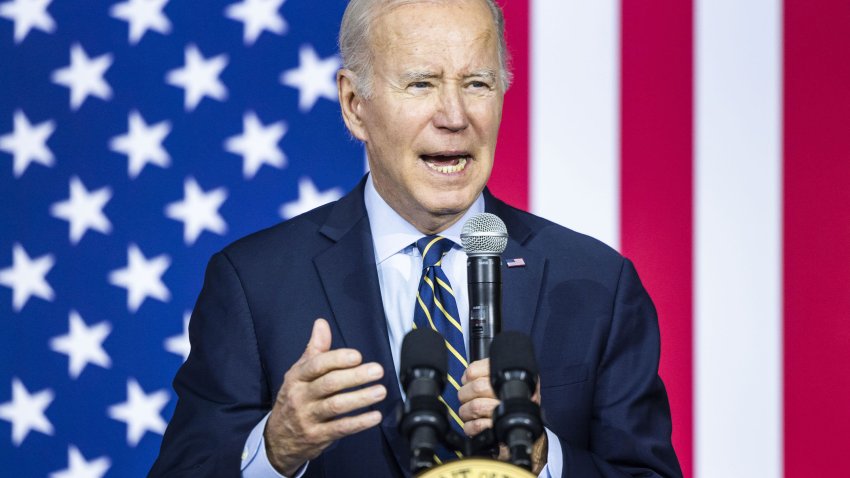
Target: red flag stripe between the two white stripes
<point>656,184</point>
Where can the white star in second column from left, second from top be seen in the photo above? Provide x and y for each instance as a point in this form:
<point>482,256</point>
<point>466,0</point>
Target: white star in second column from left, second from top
<point>83,210</point>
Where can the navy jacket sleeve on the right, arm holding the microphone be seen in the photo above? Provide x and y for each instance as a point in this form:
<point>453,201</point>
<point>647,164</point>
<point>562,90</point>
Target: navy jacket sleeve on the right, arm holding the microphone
<point>630,425</point>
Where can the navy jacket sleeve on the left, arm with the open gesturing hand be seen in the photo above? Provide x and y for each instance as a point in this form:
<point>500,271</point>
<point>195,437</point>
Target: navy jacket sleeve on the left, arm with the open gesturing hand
<point>222,390</point>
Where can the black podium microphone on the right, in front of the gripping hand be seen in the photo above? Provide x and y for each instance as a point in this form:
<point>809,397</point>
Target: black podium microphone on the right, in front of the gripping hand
<point>513,375</point>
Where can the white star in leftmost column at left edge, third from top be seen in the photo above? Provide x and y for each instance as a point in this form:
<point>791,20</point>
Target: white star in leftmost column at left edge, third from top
<point>27,277</point>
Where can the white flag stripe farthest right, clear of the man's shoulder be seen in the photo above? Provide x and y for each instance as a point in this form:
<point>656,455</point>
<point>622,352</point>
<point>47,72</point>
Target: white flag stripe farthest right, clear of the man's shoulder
<point>738,239</point>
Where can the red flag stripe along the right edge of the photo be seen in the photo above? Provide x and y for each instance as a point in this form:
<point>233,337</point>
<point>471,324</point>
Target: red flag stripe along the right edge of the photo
<point>817,236</point>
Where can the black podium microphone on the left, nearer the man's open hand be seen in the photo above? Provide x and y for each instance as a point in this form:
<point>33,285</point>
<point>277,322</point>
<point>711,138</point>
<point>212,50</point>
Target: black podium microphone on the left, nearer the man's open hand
<point>422,375</point>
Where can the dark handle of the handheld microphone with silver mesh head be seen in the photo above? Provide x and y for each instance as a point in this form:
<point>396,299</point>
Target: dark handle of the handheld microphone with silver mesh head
<point>484,277</point>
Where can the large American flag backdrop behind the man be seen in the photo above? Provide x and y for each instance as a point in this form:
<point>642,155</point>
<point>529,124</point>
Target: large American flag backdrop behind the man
<point>708,140</point>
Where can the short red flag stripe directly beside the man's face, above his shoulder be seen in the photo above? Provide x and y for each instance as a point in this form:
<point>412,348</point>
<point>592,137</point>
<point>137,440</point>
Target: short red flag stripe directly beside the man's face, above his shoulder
<point>510,178</point>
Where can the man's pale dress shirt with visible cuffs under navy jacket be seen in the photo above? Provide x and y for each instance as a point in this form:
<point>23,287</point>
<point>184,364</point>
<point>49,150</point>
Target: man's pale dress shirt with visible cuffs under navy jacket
<point>399,266</point>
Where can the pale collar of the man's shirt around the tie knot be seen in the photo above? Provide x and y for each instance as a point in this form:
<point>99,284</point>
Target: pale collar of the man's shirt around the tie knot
<point>392,234</point>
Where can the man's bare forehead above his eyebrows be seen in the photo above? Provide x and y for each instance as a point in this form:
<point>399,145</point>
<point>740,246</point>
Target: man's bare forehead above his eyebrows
<point>429,30</point>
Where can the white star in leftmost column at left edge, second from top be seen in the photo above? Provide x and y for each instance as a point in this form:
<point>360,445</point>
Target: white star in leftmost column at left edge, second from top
<point>27,143</point>
